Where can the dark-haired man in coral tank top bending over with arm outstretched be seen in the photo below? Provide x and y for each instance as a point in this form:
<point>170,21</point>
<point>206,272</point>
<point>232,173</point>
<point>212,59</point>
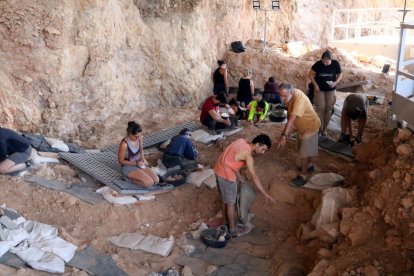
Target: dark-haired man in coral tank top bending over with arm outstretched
<point>237,155</point>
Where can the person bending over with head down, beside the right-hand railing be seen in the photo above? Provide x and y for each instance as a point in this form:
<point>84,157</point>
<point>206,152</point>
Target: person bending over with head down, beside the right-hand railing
<point>355,109</point>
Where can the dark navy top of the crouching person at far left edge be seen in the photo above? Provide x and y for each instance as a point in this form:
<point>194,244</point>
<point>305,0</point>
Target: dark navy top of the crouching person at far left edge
<point>11,142</point>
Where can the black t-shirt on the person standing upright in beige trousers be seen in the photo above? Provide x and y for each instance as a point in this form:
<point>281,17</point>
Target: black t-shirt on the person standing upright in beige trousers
<point>326,73</point>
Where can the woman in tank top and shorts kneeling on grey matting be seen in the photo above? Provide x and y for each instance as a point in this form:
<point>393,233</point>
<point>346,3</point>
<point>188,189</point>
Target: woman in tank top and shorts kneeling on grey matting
<point>132,160</point>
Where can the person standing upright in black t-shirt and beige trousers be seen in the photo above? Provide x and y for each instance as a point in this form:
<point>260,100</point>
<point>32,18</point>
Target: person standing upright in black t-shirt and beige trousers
<point>325,74</point>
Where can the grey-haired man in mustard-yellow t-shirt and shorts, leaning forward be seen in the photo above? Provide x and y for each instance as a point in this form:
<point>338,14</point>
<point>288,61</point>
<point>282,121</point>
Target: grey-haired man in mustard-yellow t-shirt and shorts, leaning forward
<point>303,117</point>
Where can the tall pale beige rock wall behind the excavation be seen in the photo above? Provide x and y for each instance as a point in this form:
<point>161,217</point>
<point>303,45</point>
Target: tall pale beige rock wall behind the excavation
<point>73,67</point>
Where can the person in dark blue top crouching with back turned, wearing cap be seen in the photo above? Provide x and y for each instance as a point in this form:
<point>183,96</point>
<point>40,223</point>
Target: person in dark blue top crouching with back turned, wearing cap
<point>181,151</point>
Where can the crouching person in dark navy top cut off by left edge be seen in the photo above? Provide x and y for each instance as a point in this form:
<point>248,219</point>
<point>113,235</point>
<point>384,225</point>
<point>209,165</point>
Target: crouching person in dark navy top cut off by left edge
<point>15,151</point>
